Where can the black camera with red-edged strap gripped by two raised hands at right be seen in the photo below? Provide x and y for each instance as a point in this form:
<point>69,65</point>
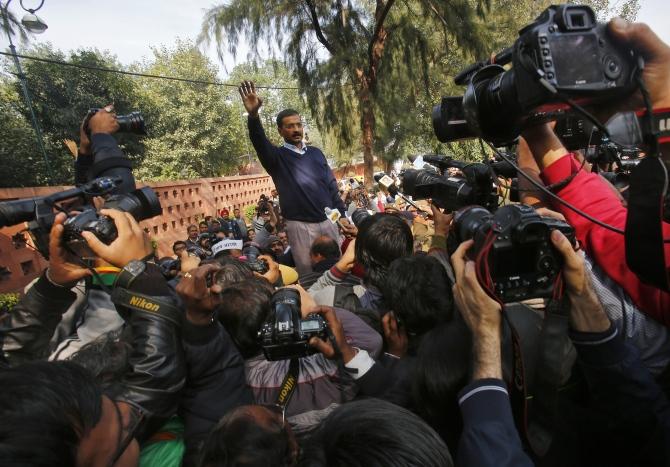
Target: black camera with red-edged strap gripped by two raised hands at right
<point>514,256</point>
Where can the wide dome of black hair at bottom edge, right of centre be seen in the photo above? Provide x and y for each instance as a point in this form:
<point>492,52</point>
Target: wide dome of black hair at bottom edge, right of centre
<point>374,433</point>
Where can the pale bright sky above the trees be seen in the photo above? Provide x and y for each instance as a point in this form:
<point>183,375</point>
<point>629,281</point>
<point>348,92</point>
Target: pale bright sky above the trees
<point>129,28</point>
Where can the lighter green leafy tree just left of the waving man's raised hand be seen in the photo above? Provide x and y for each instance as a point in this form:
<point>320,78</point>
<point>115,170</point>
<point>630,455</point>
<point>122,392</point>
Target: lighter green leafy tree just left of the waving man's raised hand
<point>195,129</point>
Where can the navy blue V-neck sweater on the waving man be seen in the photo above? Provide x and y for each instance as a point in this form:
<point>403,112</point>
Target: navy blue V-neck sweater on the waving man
<point>305,183</point>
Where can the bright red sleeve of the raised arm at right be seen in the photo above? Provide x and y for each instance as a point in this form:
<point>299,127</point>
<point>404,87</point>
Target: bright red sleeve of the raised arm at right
<point>592,194</point>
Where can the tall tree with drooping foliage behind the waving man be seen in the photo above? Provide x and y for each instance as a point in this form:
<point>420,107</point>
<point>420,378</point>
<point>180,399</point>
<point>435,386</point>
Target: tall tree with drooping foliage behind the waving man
<point>351,59</point>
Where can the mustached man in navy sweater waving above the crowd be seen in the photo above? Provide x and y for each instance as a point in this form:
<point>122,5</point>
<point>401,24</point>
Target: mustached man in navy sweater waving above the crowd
<point>301,174</point>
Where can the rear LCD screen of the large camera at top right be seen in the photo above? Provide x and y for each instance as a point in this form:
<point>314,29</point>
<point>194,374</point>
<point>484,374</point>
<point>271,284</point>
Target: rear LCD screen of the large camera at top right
<point>572,54</point>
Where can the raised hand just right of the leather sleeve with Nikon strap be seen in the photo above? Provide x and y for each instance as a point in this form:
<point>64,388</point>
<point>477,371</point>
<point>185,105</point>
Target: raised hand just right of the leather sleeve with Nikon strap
<point>199,299</point>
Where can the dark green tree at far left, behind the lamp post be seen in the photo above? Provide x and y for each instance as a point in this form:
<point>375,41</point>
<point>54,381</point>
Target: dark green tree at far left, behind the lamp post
<point>61,97</point>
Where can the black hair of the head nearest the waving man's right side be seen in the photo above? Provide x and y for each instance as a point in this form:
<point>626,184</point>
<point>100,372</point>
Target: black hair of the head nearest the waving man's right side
<point>381,239</point>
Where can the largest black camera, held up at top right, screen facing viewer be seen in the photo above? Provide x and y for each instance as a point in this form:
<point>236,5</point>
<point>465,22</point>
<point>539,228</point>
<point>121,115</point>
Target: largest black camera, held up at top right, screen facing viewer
<point>564,54</point>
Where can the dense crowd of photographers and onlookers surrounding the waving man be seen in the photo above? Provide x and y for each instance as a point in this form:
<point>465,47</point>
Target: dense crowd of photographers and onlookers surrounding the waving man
<point>399,356</point>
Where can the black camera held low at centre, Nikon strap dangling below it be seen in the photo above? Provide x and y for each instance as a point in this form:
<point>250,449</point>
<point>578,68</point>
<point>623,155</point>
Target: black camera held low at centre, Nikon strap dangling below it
<point>285,335</point>
